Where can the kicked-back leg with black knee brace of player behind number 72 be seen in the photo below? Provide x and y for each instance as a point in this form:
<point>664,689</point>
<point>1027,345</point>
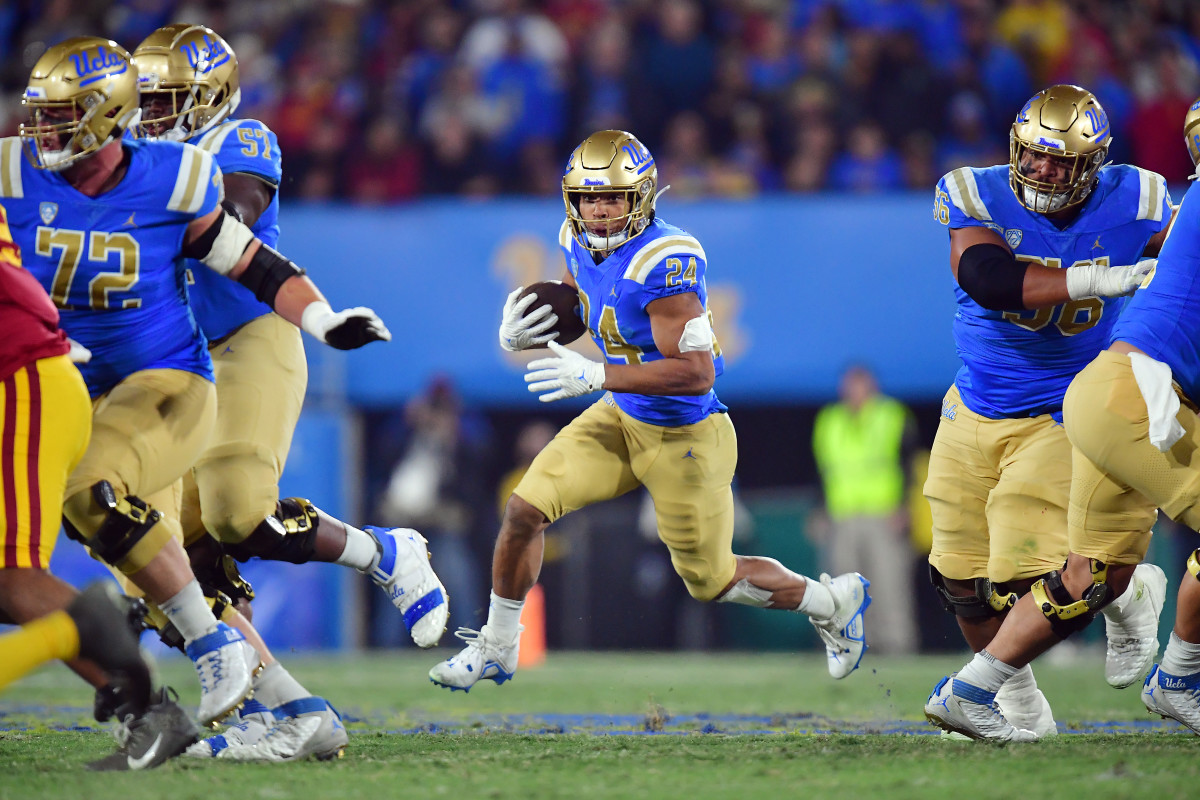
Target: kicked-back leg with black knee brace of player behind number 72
<point>261,376</point>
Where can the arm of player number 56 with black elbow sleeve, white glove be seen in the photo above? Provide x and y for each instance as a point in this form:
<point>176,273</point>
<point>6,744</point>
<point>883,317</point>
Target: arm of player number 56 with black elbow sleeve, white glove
<point>987,270</point>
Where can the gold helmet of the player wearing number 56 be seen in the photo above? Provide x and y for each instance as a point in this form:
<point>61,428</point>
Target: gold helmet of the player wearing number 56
<point>1067,123</point>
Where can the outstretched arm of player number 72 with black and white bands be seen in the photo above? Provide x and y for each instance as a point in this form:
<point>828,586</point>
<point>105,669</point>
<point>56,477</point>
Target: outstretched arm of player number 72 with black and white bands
<point>226,245</point>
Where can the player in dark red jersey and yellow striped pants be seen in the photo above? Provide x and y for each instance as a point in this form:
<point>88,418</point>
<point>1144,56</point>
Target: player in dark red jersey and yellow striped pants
<point>45,425</point>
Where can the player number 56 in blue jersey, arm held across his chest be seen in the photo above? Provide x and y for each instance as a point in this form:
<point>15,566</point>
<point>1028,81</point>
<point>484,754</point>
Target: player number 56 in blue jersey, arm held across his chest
<point>1043,250</point>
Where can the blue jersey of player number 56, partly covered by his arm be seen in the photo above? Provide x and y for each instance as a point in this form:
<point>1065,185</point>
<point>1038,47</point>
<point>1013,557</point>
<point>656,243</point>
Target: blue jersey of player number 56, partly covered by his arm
<point>1019,364</point>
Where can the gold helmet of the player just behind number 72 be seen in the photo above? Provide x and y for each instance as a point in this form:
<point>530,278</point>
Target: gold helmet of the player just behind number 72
<point>189,82</point>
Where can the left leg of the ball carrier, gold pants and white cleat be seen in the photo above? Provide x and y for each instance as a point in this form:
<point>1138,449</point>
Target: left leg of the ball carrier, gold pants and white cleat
<point>585,464</point>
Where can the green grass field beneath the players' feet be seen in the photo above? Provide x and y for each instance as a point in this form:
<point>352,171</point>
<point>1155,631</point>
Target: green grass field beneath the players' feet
<point>640,726</point>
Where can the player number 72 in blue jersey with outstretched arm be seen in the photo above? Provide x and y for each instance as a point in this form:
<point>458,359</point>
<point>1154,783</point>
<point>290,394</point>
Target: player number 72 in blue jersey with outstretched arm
<point>105,225</point>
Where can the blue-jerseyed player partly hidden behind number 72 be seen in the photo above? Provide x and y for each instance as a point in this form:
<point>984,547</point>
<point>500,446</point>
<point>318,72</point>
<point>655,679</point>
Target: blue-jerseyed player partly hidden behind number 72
<point>190,93</point>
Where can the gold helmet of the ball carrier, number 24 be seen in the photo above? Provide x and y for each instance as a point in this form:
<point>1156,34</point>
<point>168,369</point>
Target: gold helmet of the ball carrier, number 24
<point>611,161</point>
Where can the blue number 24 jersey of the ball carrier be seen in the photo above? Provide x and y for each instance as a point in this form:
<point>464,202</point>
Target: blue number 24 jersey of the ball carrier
<point>614,296</point>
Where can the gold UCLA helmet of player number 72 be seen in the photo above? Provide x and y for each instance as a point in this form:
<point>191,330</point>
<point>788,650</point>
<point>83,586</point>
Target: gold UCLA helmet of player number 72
<point>81,95</point>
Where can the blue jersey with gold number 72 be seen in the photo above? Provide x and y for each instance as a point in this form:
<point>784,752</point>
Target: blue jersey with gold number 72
<point>112,263</point>
